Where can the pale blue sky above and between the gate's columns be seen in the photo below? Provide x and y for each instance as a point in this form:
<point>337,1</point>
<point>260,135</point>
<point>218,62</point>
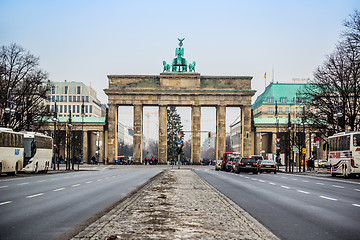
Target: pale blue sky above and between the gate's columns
<point>86,40</point>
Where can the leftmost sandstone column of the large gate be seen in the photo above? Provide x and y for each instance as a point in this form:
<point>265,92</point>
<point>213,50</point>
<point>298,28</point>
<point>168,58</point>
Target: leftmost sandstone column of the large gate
<point>113,132</point>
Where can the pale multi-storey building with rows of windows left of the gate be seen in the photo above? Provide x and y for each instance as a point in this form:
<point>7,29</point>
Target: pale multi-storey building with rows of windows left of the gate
<point>70,96</point>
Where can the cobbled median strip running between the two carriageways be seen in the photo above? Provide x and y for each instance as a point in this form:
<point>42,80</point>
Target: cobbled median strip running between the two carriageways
<point>177,204</point>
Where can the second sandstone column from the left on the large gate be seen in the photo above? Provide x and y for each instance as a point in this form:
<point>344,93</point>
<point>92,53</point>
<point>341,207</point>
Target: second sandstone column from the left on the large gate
<point>138,131</point>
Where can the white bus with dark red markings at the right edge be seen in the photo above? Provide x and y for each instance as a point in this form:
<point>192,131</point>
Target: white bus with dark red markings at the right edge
<point>344,153</point>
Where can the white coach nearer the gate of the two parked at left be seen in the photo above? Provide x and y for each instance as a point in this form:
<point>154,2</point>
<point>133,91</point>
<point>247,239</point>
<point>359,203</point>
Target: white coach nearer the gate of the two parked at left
<point>38,151</point>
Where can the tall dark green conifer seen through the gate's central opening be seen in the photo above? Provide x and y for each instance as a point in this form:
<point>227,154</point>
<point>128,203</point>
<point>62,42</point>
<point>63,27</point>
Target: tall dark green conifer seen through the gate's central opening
<point>174,127</point>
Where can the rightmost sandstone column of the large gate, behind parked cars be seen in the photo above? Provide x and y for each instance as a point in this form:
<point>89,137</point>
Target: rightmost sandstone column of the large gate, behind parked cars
<point>246,127</point>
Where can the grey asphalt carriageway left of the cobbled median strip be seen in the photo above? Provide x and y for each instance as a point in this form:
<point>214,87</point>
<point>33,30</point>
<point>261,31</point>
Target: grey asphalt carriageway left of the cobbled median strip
<point>55,206</point>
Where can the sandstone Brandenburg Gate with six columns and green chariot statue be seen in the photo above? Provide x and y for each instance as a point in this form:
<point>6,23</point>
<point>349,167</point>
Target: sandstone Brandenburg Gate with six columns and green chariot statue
<point>181,86</point>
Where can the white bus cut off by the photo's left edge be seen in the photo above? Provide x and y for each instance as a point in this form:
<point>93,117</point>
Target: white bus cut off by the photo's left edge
<point>11,151</point>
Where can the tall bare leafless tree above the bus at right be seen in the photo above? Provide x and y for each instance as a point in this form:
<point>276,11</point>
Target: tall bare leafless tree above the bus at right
<point>335,89</point>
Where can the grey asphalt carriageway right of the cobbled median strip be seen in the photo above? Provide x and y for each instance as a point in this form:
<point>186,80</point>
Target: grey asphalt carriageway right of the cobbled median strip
<point>294,206</point>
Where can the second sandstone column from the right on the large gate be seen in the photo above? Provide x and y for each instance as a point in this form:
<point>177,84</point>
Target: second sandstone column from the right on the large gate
<point>220,131</point>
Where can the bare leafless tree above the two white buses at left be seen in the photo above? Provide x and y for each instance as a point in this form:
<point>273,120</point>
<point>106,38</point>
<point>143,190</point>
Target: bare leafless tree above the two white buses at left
<point>29,87</point>
